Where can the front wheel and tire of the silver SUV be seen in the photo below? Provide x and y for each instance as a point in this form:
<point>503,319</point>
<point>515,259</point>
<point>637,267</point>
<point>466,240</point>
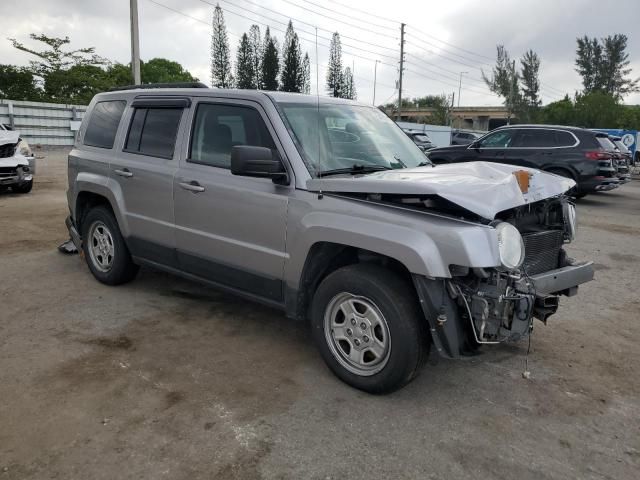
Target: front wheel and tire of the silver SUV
<point>392,344</point>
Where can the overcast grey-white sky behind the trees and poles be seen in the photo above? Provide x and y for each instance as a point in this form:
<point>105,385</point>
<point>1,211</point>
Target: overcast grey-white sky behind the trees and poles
<point>443,38</point>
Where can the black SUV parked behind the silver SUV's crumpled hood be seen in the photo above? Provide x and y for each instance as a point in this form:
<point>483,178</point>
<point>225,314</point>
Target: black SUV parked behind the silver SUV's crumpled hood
<point>567,151</point>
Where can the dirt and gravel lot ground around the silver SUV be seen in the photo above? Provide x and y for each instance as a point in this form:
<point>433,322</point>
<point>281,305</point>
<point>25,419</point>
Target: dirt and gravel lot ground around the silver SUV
<point>163,378</point>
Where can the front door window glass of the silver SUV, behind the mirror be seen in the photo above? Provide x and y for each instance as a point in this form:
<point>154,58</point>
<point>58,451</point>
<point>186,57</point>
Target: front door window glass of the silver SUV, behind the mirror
<point>218,128</point>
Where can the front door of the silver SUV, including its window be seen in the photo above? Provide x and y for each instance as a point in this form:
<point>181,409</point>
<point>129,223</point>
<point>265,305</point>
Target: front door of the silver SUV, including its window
<point>230,229</point>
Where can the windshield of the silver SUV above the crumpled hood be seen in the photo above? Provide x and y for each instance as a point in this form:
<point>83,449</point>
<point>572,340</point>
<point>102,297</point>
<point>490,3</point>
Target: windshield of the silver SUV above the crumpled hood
<point>331,137</point>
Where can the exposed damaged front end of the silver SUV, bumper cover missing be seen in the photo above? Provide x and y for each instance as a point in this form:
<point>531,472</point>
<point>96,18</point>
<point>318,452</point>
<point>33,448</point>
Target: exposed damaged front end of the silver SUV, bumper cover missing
<point>479,306</point>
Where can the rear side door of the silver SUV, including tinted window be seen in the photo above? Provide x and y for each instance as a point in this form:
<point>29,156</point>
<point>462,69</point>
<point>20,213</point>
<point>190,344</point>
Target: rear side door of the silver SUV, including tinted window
<point>144,172</point>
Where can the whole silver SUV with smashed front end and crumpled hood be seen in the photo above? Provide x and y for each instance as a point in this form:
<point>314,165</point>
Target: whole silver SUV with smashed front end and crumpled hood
<point>325,209</point>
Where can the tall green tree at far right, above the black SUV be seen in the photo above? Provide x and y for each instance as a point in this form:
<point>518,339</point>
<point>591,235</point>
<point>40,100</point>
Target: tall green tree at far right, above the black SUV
<point>604,65</point>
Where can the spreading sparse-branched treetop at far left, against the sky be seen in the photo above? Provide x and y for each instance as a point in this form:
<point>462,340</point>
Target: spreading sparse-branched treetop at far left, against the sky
<point>56,57</point>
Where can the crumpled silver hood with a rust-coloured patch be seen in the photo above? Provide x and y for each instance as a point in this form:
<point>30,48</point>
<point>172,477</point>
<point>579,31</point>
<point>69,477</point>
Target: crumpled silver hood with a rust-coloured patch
<point>483,188</point>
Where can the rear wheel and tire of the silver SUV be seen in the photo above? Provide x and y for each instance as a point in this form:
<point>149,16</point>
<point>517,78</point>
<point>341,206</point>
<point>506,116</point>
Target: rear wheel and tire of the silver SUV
<point>104,248</point>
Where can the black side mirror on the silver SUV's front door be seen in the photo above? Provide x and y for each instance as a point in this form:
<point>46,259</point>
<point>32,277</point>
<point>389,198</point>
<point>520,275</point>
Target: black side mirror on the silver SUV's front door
<point>248,161</point>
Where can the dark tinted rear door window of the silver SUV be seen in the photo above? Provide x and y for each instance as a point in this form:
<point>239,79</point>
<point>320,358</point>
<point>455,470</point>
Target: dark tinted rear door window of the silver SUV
<point>153,131</point>
